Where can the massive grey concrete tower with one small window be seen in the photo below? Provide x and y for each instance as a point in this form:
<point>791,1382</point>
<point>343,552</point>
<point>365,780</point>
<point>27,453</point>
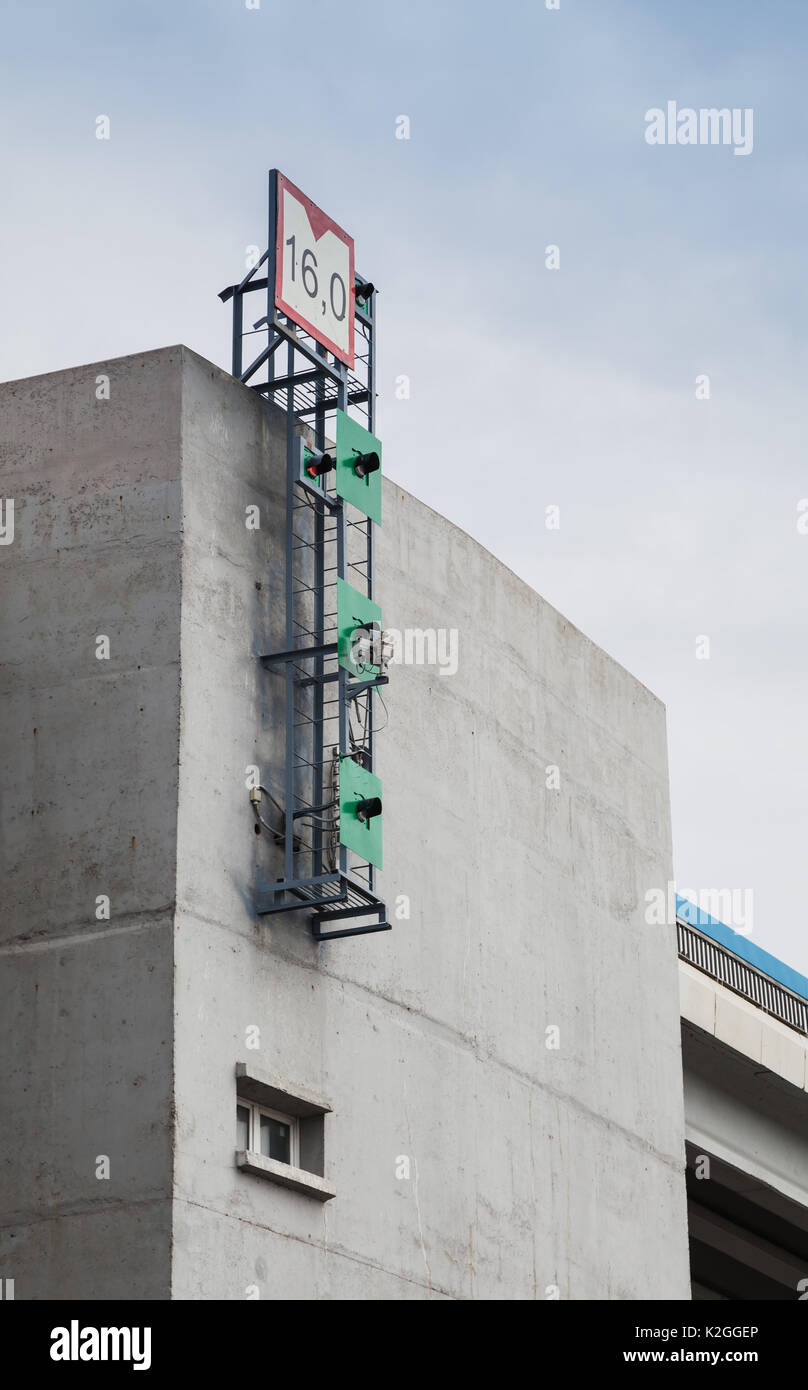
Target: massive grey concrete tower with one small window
<point>486,1102</point>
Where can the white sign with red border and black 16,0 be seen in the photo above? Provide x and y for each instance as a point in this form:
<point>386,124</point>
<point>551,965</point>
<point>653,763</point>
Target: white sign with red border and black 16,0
<point>314,270</point>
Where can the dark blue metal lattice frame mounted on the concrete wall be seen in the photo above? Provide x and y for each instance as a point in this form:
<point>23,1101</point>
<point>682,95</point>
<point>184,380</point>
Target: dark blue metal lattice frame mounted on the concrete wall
<point>329,714</point>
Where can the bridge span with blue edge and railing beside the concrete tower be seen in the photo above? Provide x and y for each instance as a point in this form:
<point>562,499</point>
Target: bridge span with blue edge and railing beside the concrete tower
<point>745,1042</point>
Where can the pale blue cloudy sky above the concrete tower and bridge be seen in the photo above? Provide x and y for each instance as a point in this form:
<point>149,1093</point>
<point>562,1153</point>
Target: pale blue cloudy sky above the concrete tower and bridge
<point>578,389</point>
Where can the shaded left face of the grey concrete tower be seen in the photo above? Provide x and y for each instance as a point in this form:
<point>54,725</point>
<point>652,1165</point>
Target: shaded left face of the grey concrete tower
<point>88,808</point>
